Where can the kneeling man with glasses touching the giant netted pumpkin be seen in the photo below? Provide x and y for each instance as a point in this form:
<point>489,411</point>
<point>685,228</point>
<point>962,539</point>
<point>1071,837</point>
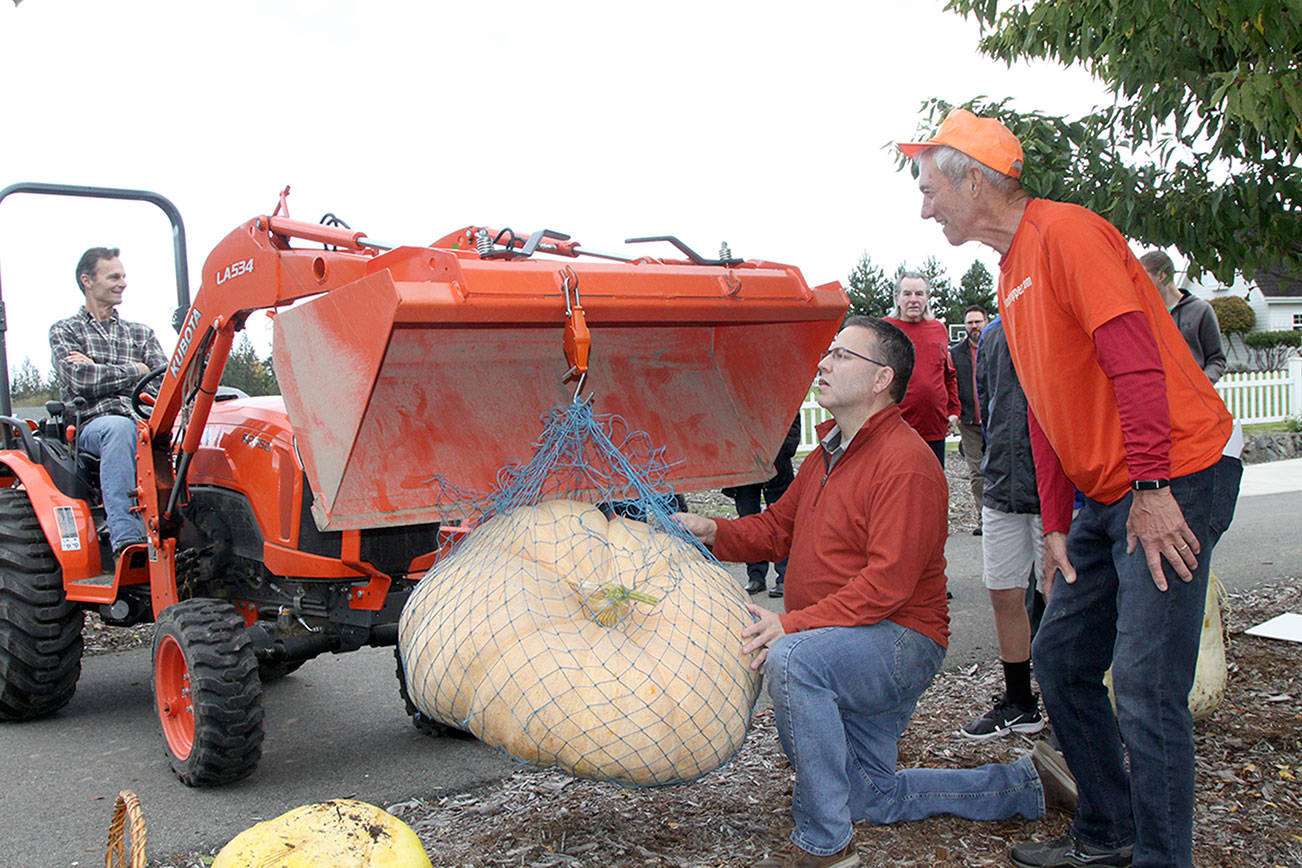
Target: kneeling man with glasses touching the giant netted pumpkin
<point>864,526</point>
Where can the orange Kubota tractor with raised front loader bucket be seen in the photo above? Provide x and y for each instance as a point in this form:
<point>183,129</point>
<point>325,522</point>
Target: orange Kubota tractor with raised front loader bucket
<point>284,528</point>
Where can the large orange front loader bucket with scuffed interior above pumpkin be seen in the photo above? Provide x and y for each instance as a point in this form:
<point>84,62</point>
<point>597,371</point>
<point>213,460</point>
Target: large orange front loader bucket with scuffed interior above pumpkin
<point>438,366</point>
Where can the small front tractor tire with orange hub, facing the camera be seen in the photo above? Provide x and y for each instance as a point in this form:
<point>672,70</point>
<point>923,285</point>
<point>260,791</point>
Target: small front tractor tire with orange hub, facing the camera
<point>206,693</point>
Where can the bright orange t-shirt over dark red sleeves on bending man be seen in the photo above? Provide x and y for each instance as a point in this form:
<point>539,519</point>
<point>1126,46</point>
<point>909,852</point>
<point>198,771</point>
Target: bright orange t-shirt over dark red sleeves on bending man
<point>1068,273</point>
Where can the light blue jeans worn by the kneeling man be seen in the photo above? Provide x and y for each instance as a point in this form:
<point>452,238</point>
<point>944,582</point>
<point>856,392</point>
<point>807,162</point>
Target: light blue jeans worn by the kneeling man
<point>843,697</point>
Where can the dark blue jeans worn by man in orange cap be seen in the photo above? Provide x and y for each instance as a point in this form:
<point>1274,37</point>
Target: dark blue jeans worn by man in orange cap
<point>1114,615</point>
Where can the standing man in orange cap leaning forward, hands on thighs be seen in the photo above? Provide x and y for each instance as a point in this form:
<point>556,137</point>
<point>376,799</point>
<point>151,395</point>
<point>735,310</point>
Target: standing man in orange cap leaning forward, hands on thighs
<point>1120,409</point>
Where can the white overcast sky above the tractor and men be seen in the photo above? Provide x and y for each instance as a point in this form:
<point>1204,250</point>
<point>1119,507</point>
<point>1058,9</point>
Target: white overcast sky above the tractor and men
<point>761,124</point>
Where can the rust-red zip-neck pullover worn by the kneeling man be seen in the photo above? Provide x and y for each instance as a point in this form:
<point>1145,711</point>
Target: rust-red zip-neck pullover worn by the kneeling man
<point>866,541</point>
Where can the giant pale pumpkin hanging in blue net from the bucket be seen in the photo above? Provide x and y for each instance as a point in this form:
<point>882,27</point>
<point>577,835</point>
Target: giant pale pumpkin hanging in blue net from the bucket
<point>579,625</point>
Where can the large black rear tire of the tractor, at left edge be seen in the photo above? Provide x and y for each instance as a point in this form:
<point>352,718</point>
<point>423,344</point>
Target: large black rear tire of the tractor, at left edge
<point>41,642</point>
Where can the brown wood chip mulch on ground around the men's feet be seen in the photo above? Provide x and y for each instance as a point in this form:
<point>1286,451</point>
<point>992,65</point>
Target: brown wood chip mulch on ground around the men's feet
<point>1249,806</point>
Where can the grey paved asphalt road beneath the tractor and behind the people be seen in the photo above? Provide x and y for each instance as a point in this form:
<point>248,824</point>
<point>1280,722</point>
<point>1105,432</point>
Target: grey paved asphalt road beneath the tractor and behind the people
<point>337,727</point>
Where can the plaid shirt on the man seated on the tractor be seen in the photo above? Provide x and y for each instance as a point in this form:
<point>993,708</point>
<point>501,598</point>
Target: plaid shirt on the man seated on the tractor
<point>115,346</point>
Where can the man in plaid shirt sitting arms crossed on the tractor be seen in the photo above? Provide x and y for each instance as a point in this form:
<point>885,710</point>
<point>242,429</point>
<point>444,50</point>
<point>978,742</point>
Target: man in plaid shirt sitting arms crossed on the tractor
<point>101,357</point>
